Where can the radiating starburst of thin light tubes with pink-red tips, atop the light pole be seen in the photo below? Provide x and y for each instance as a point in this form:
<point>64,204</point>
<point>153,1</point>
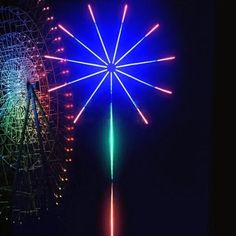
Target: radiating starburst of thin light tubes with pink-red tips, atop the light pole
<point>113,68</point>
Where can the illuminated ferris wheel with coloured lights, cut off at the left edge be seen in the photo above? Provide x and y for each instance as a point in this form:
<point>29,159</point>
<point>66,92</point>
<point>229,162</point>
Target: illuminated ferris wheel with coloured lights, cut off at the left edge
<point>36,128</point>
